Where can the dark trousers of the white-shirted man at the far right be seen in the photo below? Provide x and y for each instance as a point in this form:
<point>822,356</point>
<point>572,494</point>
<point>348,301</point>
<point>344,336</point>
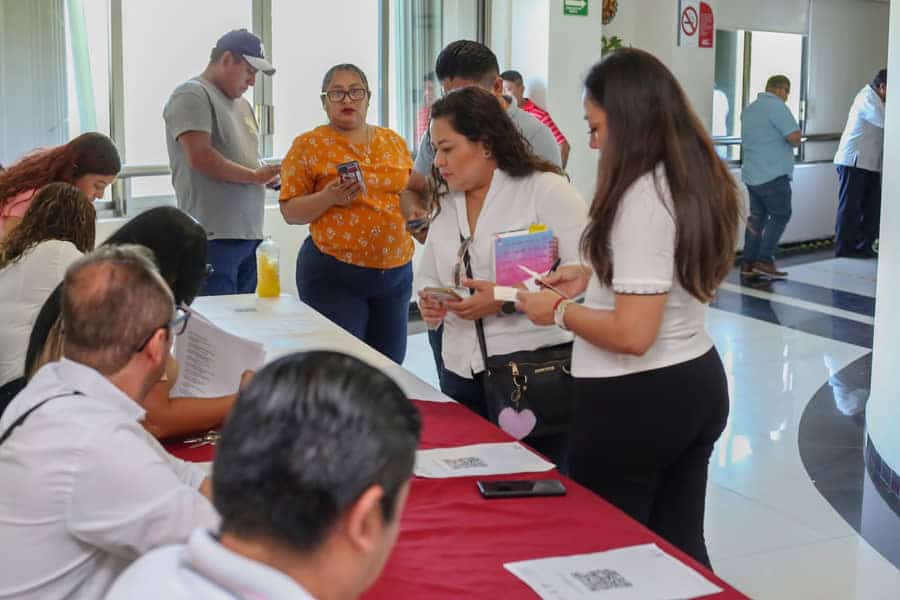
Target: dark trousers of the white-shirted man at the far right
<point>859,210</point>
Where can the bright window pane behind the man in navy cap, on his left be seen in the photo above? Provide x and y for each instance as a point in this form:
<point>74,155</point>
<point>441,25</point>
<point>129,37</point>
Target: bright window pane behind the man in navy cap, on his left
<point>165,43</point>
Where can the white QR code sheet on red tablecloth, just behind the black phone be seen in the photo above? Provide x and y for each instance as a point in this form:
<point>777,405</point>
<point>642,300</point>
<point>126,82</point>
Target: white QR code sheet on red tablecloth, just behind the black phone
<point>479,459</point>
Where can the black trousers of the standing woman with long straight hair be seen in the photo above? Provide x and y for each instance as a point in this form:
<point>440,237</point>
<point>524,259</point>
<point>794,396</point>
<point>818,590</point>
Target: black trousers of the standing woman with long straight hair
<point>643,442</point>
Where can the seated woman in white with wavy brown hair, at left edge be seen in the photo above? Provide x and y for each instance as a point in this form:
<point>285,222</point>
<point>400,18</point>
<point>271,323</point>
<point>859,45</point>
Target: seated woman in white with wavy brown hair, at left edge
<point>56,230</point>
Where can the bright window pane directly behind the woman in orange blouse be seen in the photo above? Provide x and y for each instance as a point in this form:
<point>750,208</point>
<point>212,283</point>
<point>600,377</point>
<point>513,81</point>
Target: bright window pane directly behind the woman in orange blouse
<point>307,39</point>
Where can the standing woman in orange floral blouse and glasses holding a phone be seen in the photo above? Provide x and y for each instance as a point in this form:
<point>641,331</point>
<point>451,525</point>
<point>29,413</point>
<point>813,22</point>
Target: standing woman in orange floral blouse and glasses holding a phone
<point>355,266</point>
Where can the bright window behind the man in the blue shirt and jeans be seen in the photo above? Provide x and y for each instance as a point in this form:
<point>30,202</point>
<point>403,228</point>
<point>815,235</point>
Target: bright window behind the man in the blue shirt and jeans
<point>744,62</point>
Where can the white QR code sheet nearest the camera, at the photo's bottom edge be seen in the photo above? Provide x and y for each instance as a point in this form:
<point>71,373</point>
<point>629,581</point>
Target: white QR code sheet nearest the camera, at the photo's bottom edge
<point>635,573</point>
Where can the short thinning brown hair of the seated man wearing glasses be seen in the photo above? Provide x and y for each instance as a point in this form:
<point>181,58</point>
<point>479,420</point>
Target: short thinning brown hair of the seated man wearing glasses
<point>112,299</point>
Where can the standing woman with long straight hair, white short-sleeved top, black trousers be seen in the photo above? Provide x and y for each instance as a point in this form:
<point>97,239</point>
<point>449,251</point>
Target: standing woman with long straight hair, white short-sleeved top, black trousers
<point>651,393</point>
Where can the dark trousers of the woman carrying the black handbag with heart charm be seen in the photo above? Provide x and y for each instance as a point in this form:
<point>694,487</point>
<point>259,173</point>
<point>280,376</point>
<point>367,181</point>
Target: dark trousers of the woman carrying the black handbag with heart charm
<point>470,393</point>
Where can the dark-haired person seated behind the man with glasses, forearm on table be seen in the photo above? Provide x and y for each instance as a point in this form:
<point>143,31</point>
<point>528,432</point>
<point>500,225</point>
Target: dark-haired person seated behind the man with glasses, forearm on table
<point>178,243</point>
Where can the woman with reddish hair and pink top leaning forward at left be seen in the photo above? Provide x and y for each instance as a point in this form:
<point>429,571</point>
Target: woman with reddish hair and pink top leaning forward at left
<point>90,162</point>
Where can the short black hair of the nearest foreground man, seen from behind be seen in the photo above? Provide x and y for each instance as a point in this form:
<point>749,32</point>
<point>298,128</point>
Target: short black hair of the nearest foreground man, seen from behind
<point>309,434</point>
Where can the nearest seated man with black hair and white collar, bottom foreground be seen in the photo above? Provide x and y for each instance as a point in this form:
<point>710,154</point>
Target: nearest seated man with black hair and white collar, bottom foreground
<point>310,477</point>
